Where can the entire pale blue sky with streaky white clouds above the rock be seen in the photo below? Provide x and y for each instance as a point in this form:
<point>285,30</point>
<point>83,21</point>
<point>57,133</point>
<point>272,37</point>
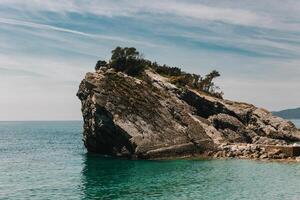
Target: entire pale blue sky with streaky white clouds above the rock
<point>46,47</point>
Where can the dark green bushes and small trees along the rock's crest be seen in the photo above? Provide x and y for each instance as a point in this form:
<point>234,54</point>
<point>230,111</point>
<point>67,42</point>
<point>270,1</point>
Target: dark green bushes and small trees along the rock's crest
<point>131,62</point>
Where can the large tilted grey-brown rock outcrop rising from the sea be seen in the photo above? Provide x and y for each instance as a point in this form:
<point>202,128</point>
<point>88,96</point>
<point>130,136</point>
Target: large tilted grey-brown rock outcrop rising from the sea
<point>152,118</point>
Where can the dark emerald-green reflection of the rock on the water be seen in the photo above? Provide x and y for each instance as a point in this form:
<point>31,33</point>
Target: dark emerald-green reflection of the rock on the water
<point>112,178</point>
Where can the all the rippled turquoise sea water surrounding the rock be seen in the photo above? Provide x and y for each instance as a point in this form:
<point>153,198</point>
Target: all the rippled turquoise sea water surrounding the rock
<point>47,160</point>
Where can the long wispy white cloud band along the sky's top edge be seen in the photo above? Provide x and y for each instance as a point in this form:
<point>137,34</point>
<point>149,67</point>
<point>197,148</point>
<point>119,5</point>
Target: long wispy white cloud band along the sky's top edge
<point>200,10</point>
